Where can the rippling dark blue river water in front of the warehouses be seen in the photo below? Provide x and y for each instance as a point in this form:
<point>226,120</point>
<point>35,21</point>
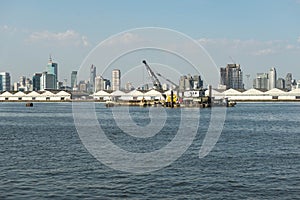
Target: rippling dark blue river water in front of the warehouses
<point>256,157</point>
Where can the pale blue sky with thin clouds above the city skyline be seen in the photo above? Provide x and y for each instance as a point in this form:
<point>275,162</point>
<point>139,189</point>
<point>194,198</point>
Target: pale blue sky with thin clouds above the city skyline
<point>257,34</point>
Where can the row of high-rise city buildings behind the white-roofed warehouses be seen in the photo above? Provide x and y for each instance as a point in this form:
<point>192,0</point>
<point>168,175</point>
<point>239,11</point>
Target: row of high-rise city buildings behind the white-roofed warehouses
<point>231,77</point>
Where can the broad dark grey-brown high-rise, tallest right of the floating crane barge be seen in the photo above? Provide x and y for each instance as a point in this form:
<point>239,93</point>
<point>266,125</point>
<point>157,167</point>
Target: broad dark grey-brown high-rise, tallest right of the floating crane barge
<point>232,76</point>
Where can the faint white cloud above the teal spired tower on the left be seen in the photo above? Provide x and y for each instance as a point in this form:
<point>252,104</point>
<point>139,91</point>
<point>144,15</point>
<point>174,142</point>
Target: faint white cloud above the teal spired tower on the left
<point>69,37</point>
